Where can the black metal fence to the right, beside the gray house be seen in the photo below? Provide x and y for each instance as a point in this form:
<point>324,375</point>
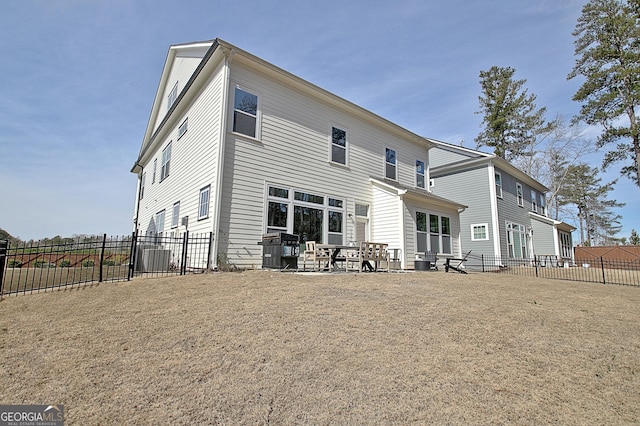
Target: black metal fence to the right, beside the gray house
<point>596,269</point>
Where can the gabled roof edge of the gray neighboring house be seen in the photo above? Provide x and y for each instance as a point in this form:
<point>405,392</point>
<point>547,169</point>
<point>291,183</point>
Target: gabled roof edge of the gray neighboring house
<point>476,159</point>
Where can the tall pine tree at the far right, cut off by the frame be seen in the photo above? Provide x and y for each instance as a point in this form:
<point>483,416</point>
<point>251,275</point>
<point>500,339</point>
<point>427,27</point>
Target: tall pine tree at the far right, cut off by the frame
<point>607,47</point>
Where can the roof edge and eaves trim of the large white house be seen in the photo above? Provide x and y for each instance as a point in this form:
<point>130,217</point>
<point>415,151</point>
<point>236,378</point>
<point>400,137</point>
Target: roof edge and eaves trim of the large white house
<point>216,51</point>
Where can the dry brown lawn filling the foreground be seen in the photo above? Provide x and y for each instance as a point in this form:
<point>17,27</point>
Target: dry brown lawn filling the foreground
<point>268,347</point>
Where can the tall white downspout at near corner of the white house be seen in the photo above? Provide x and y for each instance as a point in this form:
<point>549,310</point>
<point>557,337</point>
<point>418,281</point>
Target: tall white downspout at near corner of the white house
<point>221,152</point>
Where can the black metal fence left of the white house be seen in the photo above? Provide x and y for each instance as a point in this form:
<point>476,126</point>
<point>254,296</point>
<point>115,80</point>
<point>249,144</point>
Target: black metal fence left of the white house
<point>42,266</point>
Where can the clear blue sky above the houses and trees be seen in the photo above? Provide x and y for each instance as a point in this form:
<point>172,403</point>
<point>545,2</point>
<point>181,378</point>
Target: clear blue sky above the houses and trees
<point>79,78</point>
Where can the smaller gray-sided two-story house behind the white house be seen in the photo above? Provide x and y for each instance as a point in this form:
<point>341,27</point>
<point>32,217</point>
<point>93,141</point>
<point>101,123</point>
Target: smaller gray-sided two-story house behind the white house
<point>507,217</point>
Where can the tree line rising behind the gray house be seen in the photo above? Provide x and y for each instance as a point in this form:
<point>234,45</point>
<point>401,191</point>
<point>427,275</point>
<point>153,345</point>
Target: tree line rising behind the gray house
<point>607,51</point>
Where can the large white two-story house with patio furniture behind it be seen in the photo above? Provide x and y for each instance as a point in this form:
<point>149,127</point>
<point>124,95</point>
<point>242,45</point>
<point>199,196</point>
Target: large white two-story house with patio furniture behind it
<point>243,148</point>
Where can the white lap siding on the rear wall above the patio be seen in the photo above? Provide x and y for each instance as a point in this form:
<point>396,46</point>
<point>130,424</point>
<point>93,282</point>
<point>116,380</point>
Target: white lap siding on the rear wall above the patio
<point>293,151</point>
